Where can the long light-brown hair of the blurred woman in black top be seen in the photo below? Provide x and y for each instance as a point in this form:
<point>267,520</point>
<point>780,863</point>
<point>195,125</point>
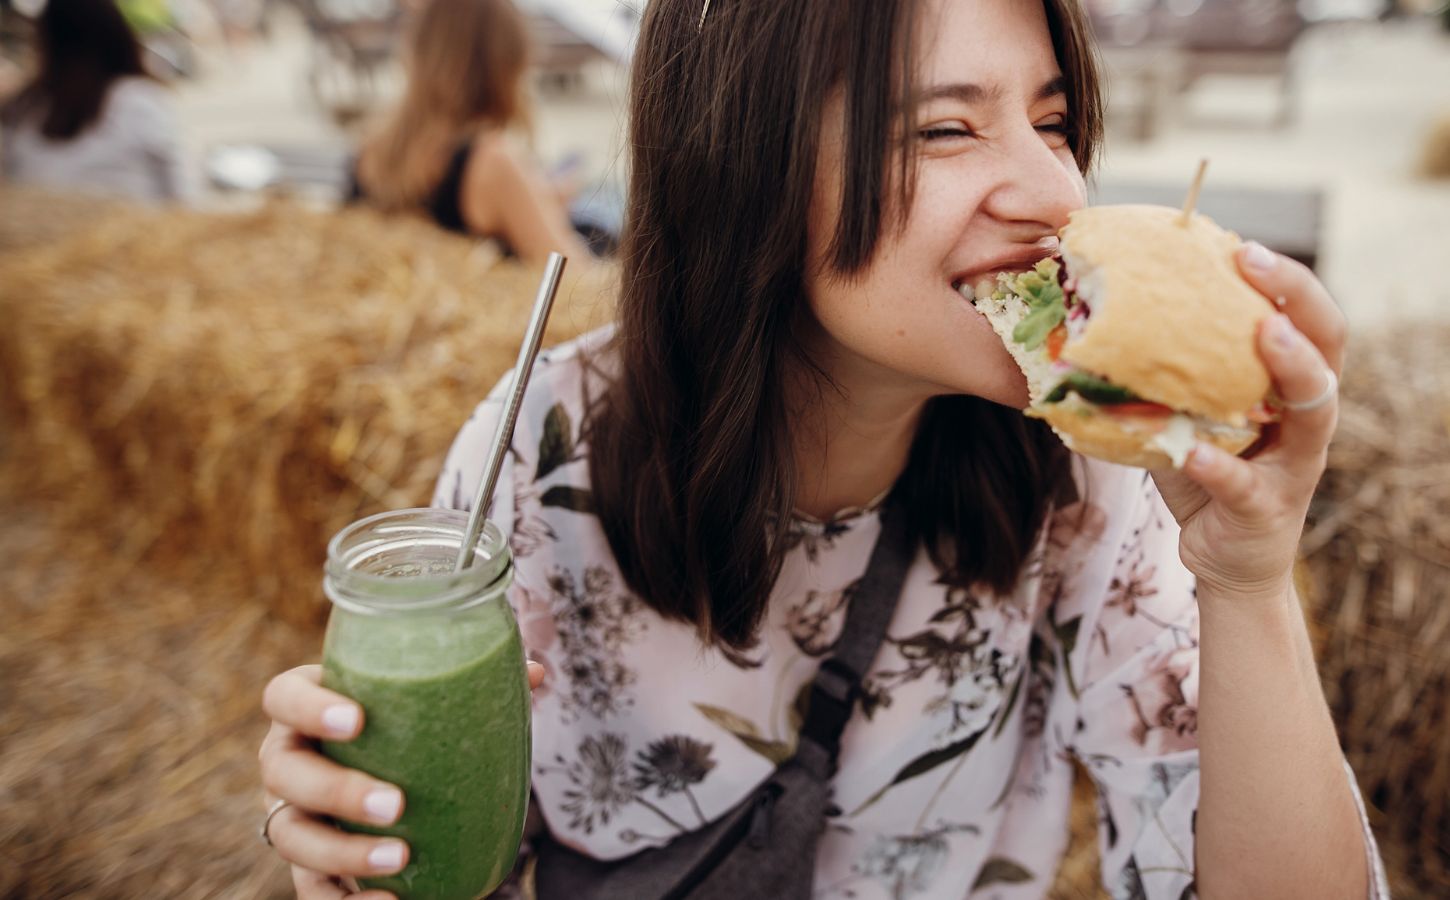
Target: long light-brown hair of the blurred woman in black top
<point>466,62</point>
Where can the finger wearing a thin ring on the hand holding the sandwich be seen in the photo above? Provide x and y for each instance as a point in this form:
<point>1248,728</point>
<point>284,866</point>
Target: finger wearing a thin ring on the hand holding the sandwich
<point>1301,376</point>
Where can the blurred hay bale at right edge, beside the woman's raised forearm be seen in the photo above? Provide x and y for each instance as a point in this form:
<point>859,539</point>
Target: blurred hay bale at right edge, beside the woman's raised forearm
<point>1378,551</point>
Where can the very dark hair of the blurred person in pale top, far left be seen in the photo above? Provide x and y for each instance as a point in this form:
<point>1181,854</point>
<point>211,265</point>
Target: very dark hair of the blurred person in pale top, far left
<point>85,47</point>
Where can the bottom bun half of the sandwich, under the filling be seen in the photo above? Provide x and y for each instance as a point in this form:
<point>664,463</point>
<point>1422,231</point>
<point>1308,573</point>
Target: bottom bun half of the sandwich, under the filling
<point>1123,440</point>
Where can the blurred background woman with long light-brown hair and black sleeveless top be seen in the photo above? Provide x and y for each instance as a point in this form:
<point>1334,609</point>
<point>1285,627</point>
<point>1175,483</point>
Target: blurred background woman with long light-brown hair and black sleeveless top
<point>446,150</point>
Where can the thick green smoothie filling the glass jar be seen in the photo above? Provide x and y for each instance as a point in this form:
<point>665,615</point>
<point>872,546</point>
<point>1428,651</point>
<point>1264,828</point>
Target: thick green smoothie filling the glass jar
<point>447,720</point>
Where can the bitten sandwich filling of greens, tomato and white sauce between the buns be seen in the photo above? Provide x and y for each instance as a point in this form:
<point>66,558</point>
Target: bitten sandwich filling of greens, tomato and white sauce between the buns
<point>1037,314</point>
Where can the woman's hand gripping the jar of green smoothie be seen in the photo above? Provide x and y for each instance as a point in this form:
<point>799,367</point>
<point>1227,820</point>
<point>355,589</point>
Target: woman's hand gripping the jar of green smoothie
<point>324,859</point>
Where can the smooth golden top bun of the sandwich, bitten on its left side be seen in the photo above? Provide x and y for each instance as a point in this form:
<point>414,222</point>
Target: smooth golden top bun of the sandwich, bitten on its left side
<point>1172,320</point>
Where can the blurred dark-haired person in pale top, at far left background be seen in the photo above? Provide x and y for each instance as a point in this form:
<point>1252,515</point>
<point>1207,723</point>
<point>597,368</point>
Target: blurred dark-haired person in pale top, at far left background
<point>92,118</point>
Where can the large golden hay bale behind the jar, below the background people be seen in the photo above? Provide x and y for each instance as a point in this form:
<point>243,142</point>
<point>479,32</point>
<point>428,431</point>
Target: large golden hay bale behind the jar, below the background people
<point>252,383</point>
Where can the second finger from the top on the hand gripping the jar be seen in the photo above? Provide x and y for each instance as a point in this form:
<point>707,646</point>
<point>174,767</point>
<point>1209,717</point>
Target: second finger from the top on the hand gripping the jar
<point>308,779</point>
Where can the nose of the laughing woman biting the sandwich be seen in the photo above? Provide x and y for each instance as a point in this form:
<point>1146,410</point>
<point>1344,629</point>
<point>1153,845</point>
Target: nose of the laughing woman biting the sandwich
<point>1037,185</point>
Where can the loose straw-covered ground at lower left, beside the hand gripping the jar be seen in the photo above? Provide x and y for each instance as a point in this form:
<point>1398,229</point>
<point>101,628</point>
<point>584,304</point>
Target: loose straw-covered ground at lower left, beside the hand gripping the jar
<point>130,721</point>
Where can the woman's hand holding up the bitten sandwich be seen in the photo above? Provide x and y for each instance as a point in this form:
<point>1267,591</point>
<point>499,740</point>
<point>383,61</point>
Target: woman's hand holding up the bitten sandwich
<point>1242,518</point>
